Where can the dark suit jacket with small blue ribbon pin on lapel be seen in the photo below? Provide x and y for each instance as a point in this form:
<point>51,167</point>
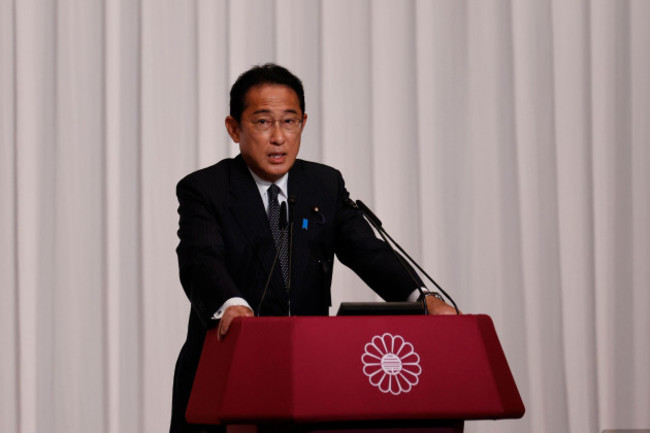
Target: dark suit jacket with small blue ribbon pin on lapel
<point>226,250</point>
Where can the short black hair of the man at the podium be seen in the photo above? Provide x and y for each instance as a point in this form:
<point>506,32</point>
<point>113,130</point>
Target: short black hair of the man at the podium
<point>268,73</point>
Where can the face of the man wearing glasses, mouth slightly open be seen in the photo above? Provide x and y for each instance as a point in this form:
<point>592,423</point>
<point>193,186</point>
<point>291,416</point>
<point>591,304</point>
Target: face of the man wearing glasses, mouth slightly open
<point>269,131</point>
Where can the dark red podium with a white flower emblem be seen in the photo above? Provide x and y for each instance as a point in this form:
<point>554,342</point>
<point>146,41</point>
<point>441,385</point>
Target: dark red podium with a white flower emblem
<point>370,373</point>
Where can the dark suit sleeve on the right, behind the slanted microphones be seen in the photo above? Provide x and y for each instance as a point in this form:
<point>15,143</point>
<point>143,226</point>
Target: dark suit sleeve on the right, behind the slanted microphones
<point>368,256</point>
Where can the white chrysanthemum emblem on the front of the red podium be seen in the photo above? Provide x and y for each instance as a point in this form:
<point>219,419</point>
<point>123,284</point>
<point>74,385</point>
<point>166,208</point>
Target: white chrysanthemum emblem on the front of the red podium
<point>391,364</point>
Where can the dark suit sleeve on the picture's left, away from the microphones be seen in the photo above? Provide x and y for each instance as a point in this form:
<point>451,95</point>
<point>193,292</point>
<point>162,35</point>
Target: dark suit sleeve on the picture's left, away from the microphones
<point>201,251</point>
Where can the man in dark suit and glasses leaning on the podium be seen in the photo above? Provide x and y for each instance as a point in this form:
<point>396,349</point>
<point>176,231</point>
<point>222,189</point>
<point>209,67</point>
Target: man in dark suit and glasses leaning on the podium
<point>227,246</point>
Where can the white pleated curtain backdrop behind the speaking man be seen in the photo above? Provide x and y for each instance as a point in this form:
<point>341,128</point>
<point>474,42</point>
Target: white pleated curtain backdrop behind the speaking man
<point>504,143</point>
